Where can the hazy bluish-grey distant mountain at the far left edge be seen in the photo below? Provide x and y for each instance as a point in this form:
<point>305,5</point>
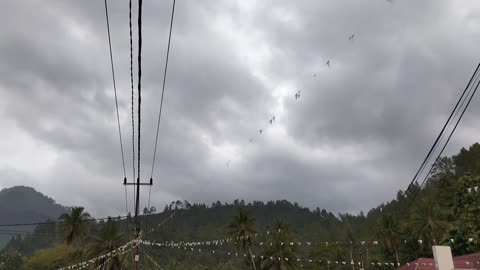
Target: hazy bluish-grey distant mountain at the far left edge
<point>21,204</point>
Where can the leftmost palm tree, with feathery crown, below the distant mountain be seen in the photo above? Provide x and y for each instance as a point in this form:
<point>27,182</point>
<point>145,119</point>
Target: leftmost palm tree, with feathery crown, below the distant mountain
<point>74,224</point>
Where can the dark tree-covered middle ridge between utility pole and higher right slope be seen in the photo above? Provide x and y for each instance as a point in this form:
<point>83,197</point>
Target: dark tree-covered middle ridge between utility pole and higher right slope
<point>204,222</point>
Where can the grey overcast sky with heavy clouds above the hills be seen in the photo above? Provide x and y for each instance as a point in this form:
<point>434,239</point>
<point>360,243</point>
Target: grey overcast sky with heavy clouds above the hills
<point>356,135</point>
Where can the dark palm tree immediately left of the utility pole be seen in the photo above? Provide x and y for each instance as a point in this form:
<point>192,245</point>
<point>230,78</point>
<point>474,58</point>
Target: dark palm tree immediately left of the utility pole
<point>108,239</point>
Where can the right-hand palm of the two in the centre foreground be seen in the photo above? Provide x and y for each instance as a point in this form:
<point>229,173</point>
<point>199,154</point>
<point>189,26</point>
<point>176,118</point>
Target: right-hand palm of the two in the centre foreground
<point>283,254</point>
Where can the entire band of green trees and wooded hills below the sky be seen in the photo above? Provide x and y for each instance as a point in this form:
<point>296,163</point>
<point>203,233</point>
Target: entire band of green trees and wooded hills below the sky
<point>443,211</point>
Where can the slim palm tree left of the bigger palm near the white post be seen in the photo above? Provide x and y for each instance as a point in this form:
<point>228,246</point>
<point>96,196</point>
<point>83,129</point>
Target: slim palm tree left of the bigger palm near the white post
<point>389,231</point>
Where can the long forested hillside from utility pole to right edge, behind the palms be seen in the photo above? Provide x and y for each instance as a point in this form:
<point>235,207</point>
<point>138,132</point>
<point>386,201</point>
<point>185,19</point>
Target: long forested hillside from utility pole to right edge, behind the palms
<point>444,210</point>
